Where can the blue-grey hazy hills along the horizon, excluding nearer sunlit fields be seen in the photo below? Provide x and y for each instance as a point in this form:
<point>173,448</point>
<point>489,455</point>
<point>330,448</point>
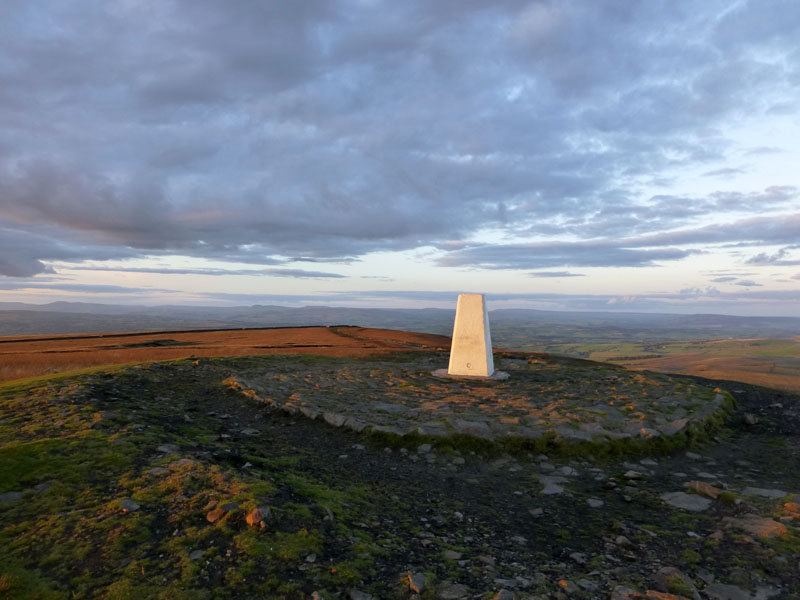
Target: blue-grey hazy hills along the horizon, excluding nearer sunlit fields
<point>511,328</point>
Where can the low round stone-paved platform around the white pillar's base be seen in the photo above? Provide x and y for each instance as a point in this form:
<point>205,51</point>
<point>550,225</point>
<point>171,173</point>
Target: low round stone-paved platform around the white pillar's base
<point>546,397</point>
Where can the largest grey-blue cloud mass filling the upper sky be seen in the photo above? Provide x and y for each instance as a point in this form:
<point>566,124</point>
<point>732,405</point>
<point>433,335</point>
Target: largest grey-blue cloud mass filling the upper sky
<point>258,131</point>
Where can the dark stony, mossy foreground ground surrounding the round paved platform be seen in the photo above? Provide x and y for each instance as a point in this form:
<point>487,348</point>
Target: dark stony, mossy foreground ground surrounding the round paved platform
<point>163,481</point>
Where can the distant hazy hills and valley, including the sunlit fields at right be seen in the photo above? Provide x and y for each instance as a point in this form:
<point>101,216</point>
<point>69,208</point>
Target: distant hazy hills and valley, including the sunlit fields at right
<point>759,350</point>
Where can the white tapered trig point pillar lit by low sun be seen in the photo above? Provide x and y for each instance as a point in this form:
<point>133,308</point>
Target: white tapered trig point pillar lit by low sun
<point>471,350</point>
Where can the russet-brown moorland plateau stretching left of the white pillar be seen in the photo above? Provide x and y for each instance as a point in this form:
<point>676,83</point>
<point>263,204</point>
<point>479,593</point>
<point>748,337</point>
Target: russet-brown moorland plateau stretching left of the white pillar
<point>31,356</point>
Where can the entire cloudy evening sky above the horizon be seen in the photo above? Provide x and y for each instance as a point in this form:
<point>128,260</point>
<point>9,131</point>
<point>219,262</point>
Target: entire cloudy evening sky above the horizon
<point>574,154</point>
